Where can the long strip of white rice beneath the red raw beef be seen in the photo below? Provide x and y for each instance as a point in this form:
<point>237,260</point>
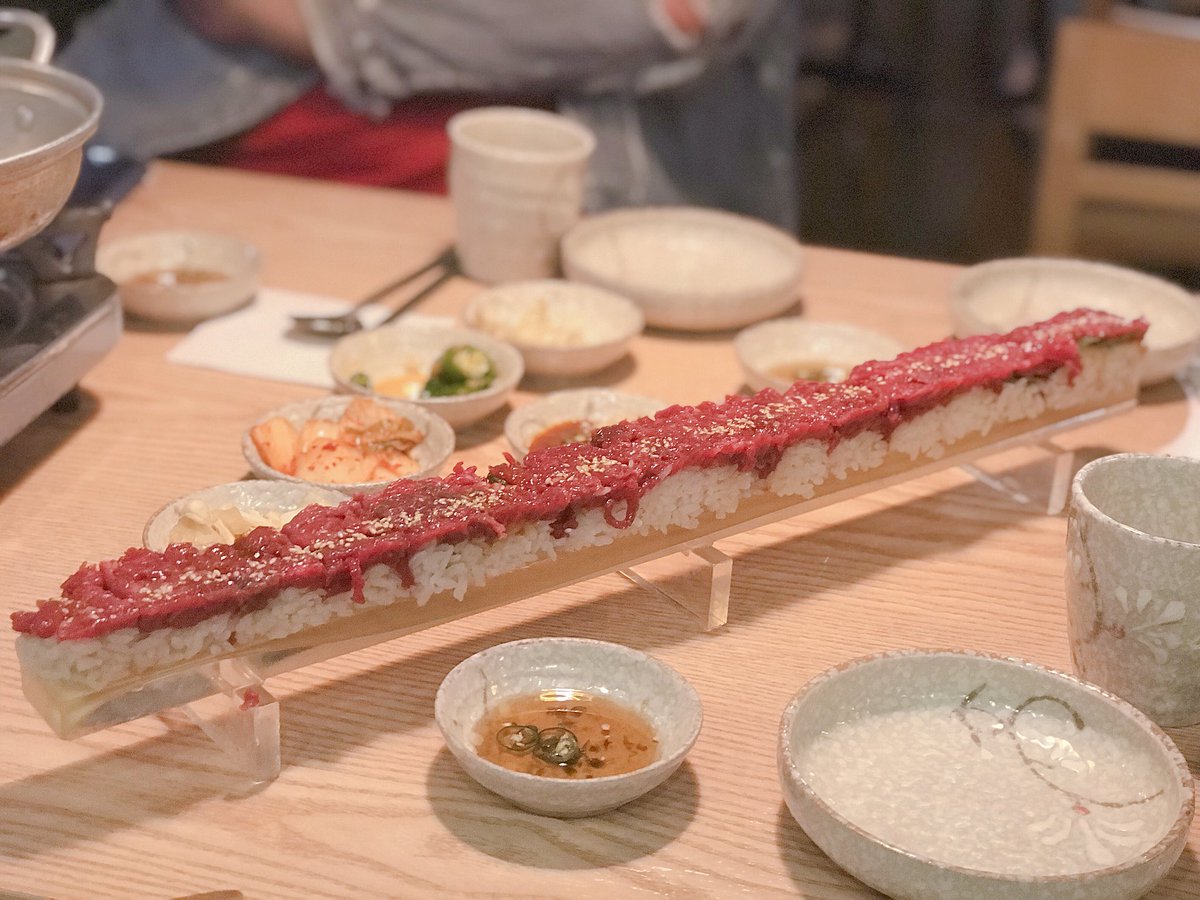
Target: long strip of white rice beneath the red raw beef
<point>681,501</point>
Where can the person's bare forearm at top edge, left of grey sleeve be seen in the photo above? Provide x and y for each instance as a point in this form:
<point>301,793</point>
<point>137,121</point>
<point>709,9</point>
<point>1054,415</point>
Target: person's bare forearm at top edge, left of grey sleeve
<point>273,25</point>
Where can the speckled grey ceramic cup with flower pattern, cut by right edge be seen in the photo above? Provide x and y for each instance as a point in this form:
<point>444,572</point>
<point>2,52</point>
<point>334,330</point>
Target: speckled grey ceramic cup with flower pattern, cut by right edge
<point>1133,581</point>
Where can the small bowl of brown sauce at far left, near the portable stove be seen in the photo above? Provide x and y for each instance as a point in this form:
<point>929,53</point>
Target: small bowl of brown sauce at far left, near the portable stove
<point>227,266</point>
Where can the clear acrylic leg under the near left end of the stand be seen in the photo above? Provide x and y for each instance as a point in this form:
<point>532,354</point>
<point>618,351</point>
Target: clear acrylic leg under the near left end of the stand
<point>242,718</point>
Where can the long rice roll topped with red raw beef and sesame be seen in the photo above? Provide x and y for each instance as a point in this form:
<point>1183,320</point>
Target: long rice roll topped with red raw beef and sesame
<point>386,557</point>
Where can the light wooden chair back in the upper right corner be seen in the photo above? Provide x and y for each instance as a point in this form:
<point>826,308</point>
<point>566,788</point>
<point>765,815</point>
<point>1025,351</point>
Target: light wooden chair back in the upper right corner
<point>1113,81</point>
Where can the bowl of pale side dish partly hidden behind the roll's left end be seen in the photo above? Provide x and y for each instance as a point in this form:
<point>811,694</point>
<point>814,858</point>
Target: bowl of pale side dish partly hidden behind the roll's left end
<point>254,500</point>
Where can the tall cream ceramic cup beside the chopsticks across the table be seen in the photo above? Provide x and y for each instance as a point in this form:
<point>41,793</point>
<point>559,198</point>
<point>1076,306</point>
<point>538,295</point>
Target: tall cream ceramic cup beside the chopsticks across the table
<point>517,181</point>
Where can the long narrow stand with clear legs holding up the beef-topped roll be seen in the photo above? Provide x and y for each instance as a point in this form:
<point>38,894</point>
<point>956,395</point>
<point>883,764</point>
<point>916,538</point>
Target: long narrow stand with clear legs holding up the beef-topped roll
<point>227,698</point>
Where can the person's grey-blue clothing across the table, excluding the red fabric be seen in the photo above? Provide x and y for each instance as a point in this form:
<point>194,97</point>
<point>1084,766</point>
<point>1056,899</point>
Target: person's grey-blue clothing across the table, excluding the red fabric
<point>706,122</point>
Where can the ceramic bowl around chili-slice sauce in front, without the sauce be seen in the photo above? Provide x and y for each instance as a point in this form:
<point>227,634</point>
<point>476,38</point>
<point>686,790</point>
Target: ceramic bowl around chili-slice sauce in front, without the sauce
<point>656,692</point>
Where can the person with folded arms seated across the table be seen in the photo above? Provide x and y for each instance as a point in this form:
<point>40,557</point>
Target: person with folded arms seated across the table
<point>692,101</point>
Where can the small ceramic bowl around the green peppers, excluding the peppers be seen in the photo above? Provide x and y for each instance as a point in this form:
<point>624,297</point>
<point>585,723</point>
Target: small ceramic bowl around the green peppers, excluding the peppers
<point>416,346</point>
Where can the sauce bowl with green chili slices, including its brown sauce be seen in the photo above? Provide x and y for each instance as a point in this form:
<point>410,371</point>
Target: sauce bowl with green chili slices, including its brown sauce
<point>568,728</point>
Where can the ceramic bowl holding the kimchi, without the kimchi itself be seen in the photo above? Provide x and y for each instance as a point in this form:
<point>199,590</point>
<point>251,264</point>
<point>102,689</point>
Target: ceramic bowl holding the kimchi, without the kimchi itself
<point>430,454</point>
